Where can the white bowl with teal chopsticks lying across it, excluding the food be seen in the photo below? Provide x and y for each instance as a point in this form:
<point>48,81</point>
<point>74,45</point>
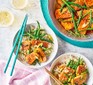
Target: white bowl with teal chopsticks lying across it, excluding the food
<point>55,47</point>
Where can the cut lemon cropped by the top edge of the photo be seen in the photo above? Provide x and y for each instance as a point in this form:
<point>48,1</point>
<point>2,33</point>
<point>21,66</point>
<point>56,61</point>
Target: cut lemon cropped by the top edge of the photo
<point>19,4</point>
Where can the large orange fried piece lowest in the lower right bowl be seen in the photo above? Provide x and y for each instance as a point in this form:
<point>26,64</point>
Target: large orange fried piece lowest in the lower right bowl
<point>79,80</point>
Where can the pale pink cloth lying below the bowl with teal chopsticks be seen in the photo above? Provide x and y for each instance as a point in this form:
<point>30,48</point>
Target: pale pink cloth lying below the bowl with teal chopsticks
<point>23,76</point>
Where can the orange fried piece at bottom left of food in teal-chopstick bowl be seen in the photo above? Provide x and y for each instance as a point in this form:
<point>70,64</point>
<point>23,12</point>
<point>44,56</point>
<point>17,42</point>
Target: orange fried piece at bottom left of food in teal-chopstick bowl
<point>30,58</point>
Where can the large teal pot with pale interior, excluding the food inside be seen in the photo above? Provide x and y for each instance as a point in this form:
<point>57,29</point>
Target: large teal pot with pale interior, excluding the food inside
<point>48,7</point>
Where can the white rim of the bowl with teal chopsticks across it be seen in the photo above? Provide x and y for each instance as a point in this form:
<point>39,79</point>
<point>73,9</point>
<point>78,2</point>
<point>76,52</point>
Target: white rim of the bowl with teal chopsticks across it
<point>54,53</point>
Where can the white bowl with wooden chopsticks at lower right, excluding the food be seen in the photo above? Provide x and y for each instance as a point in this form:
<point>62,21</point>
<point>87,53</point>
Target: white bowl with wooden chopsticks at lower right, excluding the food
<point>67,56</point>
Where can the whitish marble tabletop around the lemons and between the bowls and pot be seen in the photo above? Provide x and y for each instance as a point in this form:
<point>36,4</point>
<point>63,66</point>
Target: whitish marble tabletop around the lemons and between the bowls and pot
<point>35,13</point>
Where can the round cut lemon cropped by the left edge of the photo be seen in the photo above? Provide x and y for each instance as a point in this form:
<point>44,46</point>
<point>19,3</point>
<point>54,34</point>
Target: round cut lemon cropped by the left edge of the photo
<point>6,18</point>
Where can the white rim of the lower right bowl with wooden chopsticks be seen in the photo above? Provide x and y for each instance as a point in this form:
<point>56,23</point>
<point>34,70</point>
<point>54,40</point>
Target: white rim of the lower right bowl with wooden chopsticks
<point>86,60</point>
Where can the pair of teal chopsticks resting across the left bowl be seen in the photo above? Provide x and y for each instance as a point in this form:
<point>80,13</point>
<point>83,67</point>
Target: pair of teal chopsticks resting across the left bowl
<point>20,34</point>
